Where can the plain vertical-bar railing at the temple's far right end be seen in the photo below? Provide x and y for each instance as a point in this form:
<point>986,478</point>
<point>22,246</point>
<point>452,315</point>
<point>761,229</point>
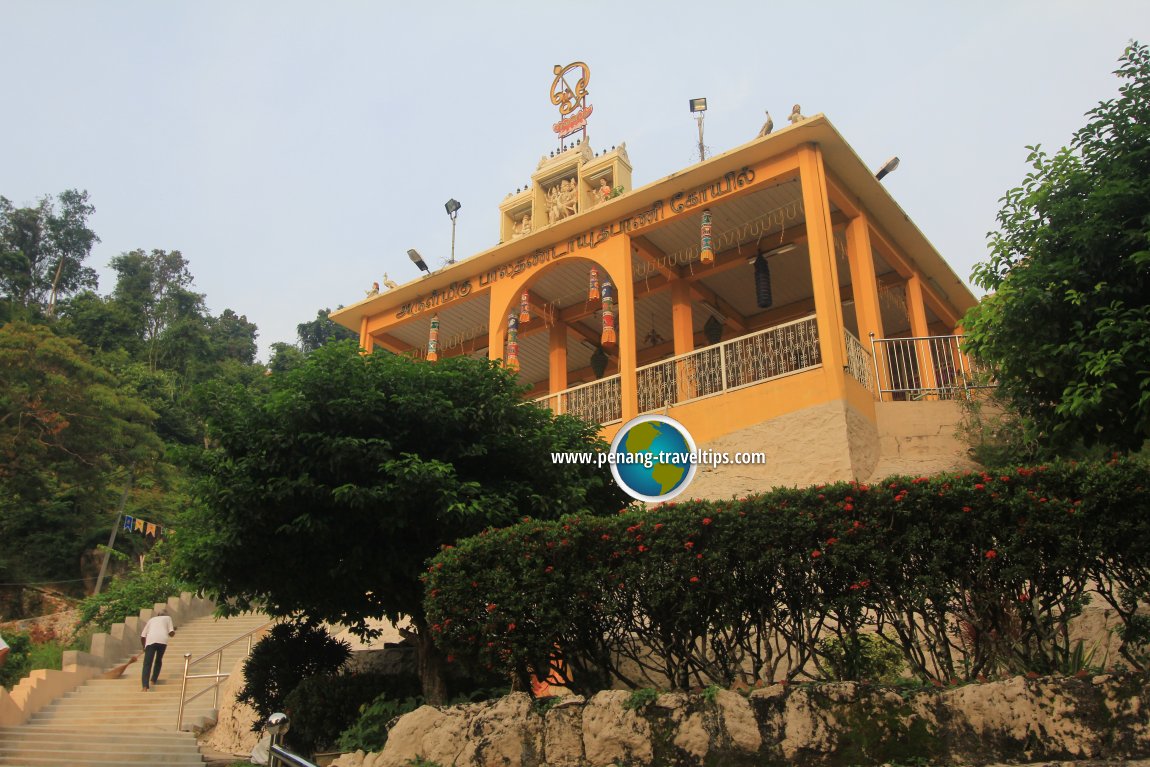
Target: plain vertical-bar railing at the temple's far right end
<point>925,367</point>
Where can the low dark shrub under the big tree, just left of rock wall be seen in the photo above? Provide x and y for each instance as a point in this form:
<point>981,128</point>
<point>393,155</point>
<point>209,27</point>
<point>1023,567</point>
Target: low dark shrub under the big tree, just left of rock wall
<point>323,708</point>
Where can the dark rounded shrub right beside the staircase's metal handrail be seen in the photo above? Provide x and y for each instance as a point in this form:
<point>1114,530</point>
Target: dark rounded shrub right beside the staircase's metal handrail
<point>289,654</point>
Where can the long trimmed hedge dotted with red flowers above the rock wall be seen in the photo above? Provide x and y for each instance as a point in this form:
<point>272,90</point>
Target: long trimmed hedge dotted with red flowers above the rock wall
<point>964,574</point>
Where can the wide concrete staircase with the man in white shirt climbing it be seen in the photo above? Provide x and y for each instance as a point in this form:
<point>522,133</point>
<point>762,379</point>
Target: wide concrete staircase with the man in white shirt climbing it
<point>112,723</point>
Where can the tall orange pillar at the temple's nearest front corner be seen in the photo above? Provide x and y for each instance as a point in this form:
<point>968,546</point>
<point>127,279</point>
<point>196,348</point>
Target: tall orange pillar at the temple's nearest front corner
<point>829,309</point>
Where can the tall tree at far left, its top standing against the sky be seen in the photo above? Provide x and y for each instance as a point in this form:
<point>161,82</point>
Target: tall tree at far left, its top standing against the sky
<point>42,254</point>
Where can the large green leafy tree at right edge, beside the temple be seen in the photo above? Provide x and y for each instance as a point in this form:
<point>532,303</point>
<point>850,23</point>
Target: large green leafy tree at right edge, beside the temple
<point>1068,325</point>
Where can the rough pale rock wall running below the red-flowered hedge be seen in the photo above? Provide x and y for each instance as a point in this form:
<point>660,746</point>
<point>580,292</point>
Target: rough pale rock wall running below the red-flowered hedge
<point>829,725</point>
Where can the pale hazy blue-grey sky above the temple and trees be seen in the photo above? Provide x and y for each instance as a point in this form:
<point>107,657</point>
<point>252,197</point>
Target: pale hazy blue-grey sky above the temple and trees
<point>295,151</point>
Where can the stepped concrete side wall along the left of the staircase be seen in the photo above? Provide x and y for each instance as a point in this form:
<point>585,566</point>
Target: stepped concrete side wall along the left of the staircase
<point>42,687</point>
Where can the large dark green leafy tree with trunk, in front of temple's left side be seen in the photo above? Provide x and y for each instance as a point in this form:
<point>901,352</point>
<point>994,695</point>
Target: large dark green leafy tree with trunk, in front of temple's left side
<point>332,487</point>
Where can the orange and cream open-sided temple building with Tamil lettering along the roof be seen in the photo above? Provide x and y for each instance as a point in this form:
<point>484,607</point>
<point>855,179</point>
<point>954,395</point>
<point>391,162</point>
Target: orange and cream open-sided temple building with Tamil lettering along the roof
<point>772,298</point>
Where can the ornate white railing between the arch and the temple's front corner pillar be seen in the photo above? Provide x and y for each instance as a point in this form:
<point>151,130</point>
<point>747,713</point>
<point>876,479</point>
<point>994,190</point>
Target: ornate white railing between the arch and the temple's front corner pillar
<point>780,351</point>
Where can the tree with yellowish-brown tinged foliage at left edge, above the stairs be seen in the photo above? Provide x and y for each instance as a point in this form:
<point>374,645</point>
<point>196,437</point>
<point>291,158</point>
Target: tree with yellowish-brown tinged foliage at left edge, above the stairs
<point>68,433</point>
